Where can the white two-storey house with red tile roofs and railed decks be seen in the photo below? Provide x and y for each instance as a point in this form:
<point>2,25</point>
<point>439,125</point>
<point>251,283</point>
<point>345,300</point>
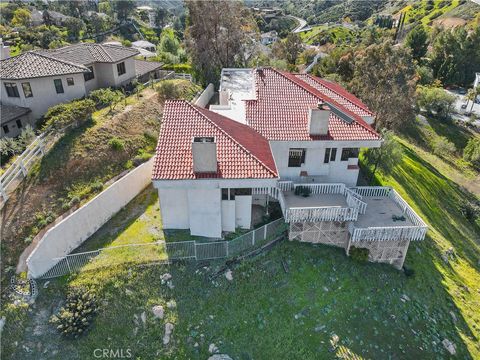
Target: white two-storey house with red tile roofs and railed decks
<point>272,135</point>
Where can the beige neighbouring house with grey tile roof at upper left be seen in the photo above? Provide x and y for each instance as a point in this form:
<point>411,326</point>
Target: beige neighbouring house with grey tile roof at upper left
<point>40,79</point>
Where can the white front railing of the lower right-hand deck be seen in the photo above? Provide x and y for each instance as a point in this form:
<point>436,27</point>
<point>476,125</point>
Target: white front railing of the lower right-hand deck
<point>389,233</point>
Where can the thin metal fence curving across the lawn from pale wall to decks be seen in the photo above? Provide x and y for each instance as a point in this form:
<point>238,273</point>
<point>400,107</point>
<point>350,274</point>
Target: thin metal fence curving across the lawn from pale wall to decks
<point>164,252</point>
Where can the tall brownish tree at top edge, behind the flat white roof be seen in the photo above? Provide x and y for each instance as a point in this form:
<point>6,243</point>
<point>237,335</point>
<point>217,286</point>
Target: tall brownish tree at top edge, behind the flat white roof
<point>215,36</point>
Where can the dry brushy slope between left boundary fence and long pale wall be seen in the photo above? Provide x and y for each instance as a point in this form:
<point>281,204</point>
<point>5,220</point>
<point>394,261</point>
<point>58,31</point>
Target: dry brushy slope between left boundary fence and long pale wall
<point>78,167</point>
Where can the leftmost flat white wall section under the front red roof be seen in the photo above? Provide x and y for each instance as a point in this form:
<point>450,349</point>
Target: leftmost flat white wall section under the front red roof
<point>174,208</point>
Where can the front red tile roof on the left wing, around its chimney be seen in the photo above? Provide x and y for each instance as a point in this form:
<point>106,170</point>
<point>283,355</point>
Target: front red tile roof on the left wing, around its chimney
<point>242,153</point>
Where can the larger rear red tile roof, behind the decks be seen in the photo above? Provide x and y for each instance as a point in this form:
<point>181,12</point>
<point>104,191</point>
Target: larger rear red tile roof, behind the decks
<point>280,110</point>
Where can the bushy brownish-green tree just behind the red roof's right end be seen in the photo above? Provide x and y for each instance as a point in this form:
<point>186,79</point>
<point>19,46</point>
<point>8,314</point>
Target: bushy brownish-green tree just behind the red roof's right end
<point>384,78</point>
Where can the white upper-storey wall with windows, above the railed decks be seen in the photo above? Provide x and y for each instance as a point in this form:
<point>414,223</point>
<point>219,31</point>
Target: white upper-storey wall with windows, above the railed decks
<point>335,171</point>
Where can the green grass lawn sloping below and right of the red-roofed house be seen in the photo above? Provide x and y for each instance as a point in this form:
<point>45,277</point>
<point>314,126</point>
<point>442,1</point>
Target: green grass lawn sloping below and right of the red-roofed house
<point>269,313</point>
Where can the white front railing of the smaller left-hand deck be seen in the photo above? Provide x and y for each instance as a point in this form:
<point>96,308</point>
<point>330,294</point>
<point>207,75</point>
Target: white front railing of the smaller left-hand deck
<point>325,213</point>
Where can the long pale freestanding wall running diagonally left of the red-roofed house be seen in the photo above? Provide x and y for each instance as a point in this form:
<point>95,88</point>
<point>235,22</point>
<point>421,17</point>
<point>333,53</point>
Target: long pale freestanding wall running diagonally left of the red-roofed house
<point>72,231</point>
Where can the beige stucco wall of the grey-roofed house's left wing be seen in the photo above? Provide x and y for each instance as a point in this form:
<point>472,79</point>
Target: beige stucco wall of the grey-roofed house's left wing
<point>44,93</point>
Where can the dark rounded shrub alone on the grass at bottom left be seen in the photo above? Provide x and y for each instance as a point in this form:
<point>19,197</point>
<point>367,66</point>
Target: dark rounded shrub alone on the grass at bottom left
<point>77,315</point>
